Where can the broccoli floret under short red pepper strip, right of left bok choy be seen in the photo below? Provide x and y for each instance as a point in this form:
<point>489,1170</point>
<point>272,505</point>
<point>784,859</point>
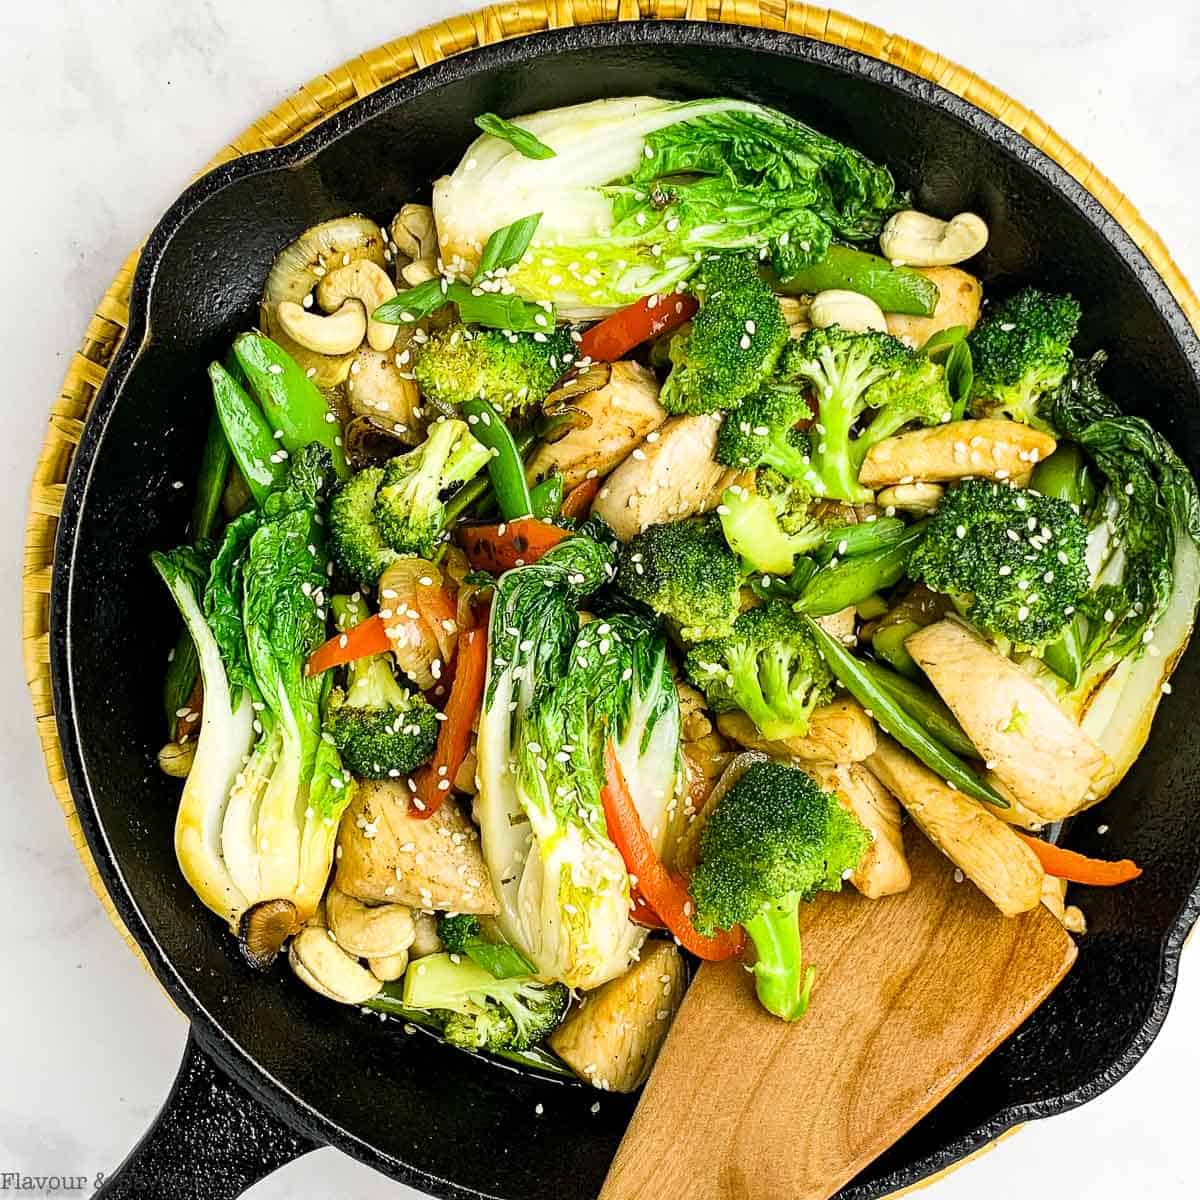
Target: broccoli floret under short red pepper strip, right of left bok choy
<point>381,729</point>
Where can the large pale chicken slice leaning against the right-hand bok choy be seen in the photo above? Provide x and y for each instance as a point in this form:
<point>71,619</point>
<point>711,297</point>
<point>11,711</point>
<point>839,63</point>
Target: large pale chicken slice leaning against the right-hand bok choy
<point>1037,752</point>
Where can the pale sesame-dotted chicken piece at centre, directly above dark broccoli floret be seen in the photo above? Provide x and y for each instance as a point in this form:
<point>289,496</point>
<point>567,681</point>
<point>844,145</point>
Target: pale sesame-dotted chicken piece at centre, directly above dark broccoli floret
<point>669,479</point>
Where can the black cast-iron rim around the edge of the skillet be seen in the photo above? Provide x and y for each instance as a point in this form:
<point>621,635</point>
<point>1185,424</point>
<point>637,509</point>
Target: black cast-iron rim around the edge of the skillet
<point>531,49</point>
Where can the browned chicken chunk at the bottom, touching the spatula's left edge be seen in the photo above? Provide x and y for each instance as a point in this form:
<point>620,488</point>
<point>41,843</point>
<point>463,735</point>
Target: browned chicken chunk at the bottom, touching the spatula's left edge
<point>613,1037</point>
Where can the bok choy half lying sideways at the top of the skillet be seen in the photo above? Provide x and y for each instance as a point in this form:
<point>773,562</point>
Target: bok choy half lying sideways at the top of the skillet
<point>640,187</point>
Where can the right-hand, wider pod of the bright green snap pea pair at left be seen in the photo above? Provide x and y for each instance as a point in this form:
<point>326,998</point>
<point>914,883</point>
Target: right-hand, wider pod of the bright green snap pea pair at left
<point>291,401</point>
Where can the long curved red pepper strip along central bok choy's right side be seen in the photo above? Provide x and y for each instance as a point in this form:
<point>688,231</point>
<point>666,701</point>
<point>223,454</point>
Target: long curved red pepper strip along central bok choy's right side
<point>665,891</point>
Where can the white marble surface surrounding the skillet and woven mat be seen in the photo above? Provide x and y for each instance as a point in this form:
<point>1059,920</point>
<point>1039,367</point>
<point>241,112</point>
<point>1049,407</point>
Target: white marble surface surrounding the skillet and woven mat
<point>110,110</point>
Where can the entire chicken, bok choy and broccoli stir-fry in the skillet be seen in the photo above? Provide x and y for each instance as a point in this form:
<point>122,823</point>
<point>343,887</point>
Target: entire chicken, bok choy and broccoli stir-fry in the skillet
<point>590,569</point>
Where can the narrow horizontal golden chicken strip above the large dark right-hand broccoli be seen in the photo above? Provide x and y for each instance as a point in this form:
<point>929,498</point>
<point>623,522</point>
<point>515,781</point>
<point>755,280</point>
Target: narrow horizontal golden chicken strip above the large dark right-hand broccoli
<point>991,449</point>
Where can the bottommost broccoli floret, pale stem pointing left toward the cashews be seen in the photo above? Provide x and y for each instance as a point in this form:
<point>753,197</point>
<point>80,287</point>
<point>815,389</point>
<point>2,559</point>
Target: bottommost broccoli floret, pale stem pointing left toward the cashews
<point>482,1012</point>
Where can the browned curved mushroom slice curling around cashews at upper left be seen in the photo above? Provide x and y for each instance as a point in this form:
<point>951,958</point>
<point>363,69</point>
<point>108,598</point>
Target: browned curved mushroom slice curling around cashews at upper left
<point>301,267</point>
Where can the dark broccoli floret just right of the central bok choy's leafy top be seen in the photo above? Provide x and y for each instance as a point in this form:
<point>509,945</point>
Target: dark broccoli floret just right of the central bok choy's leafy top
<point>685,572</point>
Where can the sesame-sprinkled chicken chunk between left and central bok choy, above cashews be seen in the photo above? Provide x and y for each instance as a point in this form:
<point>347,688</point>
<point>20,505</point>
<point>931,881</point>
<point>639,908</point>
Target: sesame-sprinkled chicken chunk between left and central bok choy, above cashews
<point>386,855</point>
